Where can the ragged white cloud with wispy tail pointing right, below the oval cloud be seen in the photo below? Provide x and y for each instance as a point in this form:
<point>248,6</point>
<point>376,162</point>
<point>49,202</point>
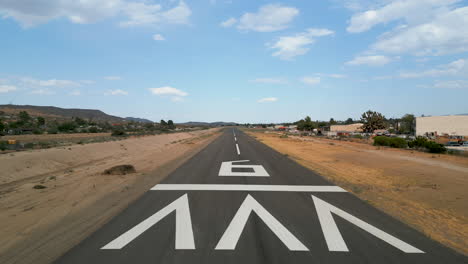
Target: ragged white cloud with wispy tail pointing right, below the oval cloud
<point>288,47</point>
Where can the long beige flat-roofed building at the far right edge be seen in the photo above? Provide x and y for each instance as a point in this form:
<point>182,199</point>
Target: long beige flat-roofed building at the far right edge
<point>456,125</point>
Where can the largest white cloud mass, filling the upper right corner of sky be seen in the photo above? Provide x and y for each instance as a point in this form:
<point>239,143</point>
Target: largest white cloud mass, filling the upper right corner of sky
<point>426,27</point>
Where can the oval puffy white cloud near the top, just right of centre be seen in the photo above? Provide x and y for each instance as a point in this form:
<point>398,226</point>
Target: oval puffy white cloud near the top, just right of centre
<point>269,18</point>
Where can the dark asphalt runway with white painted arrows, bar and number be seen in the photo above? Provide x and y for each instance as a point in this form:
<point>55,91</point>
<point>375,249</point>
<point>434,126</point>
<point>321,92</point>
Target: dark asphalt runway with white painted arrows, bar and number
<point>239,201</point>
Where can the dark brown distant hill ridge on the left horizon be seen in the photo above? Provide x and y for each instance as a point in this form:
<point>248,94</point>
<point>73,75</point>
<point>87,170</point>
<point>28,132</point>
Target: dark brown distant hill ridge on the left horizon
<point>61,113</point>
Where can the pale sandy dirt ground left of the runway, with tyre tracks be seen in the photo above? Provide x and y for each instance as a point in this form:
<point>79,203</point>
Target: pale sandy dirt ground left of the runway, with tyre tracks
<point>38,225</point>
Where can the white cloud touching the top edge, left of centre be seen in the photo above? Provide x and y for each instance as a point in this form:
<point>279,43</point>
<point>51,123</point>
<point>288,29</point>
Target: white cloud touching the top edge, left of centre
<point>141,13</point>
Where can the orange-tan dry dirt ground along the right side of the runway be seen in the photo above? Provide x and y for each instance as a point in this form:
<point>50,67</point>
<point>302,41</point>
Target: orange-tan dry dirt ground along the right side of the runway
<point>426,191</point>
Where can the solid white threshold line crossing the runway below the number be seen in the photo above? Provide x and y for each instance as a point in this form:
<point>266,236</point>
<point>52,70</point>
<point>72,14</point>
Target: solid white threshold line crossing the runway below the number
<point>247,187</point>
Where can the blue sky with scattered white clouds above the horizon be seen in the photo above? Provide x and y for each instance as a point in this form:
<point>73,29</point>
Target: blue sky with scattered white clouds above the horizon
<point>242,61</point>
